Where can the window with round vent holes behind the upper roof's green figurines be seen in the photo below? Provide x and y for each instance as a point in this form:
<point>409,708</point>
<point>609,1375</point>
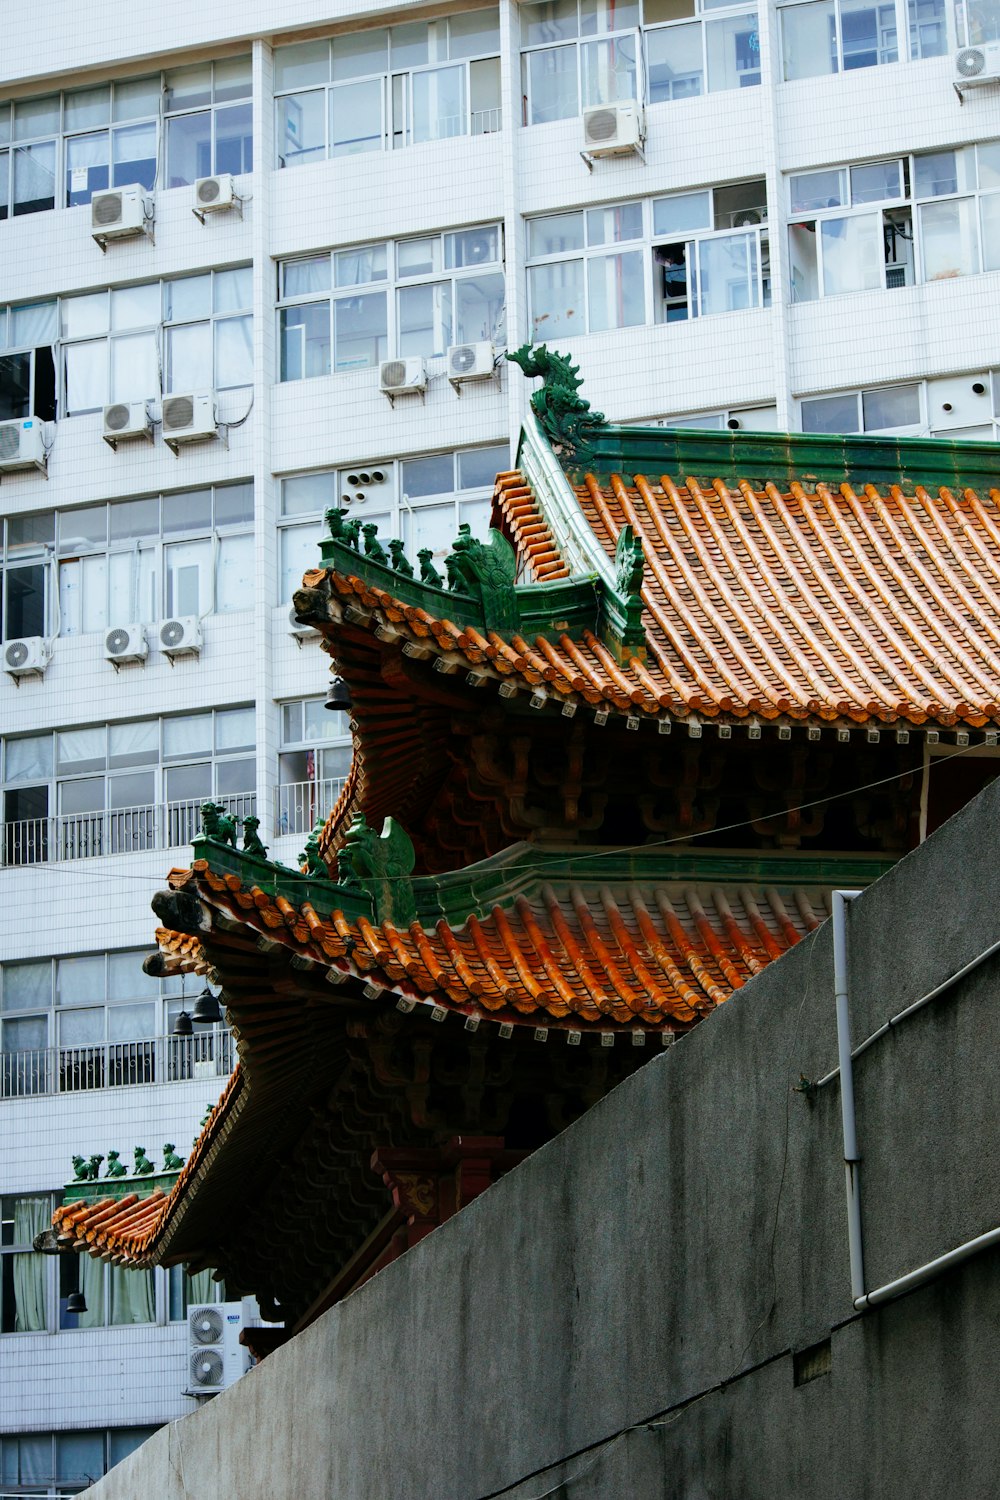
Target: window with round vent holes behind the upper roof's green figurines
<point>424,502</point>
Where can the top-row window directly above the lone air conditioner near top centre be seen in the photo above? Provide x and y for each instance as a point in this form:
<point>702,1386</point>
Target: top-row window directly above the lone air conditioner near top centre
<point>581,55</point>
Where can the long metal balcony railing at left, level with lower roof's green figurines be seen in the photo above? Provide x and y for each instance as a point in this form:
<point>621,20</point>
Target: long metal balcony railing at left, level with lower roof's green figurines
<point>116,830</point>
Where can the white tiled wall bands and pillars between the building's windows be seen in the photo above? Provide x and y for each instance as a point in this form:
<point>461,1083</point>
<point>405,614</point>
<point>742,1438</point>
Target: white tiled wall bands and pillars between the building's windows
<point>756,358</point>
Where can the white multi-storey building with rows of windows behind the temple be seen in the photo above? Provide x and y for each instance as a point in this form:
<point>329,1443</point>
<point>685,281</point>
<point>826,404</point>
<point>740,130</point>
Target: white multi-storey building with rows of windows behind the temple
<point>807,239</point>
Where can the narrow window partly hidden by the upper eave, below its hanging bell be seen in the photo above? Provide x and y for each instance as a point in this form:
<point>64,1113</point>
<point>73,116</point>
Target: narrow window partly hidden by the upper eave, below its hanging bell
<point>313,764</point>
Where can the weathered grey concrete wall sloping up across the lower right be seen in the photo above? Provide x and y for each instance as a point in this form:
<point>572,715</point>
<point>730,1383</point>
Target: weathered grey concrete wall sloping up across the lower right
<point>663,1259</point>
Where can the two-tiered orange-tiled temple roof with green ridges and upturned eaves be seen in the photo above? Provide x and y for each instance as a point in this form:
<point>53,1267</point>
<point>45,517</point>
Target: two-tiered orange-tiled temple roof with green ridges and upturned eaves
<point>603,773</point>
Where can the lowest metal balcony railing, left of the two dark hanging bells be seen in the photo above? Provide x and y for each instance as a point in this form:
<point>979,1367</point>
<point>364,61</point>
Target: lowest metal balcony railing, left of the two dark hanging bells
<point>116,1064</point>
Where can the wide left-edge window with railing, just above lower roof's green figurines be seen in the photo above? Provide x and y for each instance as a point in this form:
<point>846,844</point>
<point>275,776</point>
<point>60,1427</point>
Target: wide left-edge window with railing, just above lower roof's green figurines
<point>122,788</point>
